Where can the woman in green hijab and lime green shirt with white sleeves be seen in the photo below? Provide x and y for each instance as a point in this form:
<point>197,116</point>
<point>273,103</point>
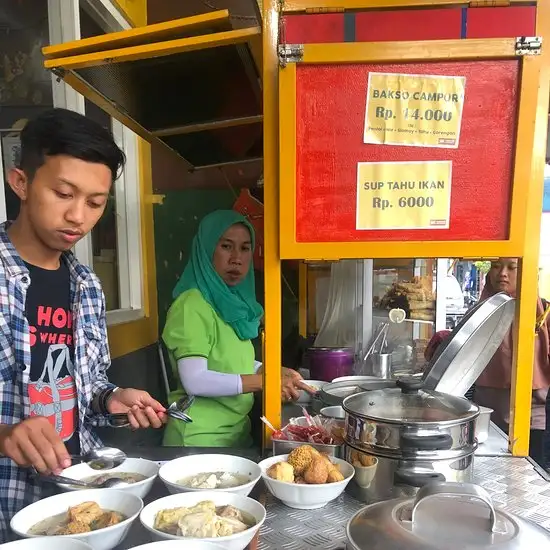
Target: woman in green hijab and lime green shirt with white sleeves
<point>208,333</point>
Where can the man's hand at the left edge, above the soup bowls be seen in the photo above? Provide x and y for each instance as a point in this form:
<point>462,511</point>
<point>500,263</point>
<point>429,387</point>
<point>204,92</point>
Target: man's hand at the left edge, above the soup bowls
<point>34,442</point>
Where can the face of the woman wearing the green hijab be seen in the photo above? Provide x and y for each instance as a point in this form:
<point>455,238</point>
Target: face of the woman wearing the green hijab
<point>233,254</point>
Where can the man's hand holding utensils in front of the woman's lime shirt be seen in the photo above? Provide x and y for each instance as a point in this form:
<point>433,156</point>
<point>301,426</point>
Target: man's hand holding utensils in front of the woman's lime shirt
<point>143,411</point>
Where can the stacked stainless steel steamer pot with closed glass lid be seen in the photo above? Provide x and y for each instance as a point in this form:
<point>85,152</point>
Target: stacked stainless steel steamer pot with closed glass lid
<point>416,437</point>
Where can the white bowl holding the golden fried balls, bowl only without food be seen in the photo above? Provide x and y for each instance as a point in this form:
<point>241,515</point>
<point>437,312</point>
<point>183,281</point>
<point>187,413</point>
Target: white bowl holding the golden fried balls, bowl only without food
<point>302,496</point>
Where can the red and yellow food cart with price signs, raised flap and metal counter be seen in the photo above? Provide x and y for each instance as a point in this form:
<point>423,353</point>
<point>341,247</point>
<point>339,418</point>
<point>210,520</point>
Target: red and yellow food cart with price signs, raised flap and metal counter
<point>393,129</point>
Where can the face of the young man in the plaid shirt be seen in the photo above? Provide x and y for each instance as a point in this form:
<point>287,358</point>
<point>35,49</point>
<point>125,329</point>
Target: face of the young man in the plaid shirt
<point>65,199</point>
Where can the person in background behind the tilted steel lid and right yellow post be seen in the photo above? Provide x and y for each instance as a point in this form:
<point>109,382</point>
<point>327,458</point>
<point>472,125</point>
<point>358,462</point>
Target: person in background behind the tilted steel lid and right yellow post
<point>492,388</point>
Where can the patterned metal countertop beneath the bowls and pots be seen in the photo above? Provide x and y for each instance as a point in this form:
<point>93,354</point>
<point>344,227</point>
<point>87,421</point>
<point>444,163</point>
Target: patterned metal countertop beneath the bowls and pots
<point>515,484</point>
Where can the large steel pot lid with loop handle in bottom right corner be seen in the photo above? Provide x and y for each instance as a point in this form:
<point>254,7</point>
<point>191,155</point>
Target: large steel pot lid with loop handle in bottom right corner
<point>446,516</point>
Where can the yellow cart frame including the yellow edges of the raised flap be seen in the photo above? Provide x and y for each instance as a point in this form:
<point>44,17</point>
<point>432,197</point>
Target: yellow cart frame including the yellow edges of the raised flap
<point>279,165</point>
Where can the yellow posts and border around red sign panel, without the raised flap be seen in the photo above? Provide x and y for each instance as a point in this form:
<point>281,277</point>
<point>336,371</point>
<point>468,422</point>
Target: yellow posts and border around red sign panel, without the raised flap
<point>280,178</point>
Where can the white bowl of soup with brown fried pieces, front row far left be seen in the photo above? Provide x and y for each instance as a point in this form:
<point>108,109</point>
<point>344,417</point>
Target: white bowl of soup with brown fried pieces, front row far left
<point>99,517</point>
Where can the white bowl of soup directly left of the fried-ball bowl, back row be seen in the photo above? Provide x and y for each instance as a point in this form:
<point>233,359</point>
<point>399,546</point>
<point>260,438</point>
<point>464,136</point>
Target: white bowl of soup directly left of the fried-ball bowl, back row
<point>210,472</point>
